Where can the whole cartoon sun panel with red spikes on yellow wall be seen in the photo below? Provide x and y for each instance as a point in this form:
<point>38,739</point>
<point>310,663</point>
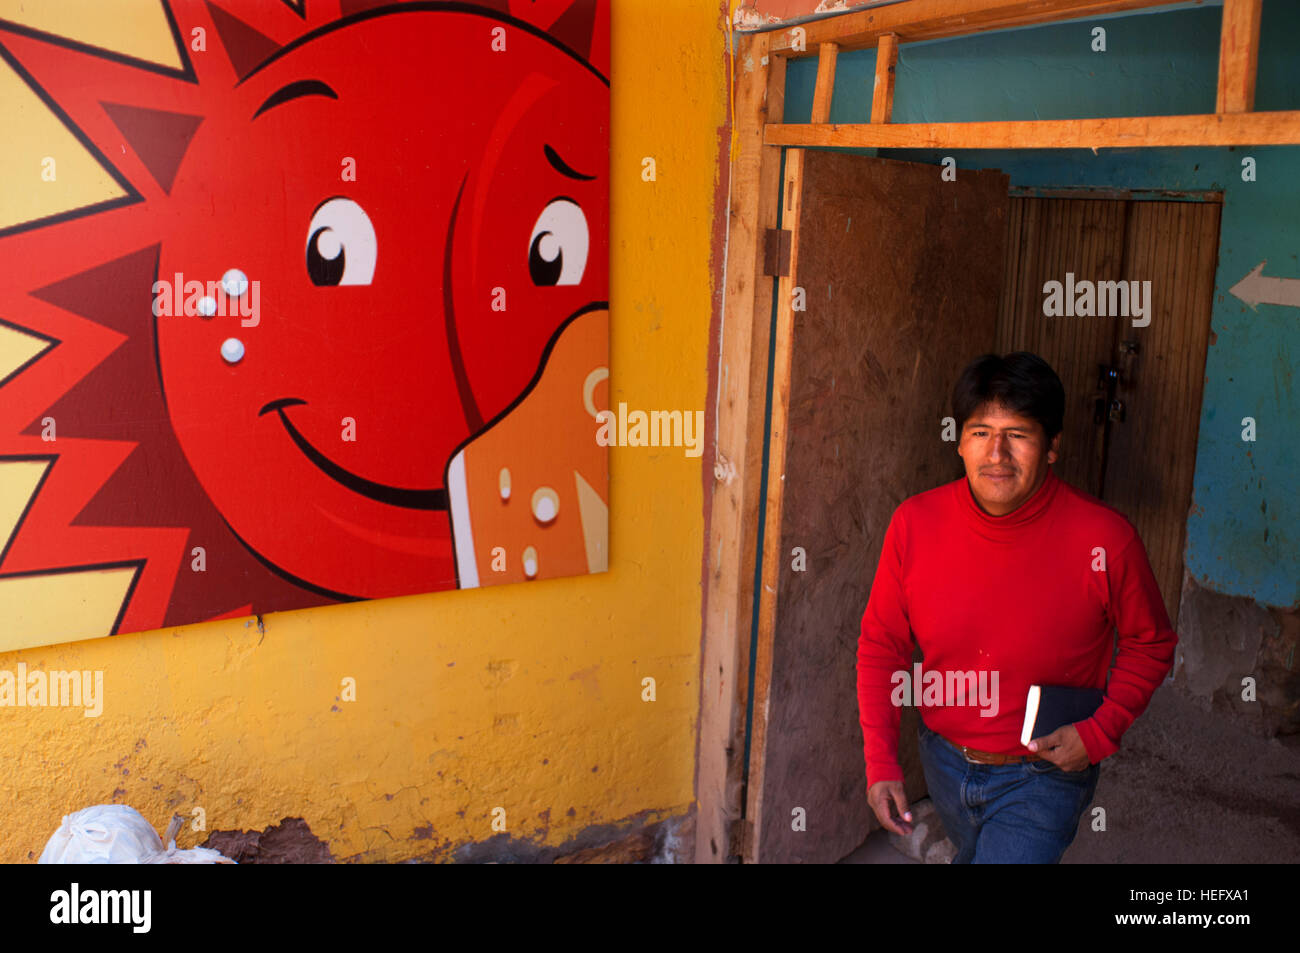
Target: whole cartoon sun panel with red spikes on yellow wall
<point>300,304</point>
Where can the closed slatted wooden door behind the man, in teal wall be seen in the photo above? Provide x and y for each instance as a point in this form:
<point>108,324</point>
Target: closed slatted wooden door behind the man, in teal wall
<point>1142,465</point>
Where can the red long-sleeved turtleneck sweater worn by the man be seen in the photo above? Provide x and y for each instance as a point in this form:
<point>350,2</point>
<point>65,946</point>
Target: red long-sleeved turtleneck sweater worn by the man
<point>1017,595</point>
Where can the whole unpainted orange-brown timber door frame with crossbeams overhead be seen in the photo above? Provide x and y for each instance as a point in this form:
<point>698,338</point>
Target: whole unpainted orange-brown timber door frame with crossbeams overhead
<point>746,327</point>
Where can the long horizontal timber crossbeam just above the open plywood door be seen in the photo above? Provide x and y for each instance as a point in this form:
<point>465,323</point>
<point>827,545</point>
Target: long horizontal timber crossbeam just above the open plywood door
<point>1228,129</point>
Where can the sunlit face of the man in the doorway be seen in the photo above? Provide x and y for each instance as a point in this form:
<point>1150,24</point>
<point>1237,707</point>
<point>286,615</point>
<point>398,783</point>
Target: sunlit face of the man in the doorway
<point>1007,458</point>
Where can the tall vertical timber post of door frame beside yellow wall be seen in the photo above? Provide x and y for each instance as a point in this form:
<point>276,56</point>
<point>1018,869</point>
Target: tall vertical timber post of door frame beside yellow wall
<point>738,465</point>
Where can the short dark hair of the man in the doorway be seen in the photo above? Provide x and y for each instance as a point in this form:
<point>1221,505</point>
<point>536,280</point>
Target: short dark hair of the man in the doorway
<point>1022,383</point>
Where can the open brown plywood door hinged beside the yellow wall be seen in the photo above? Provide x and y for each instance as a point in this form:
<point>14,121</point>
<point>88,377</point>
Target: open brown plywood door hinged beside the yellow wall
<point>902,275</point>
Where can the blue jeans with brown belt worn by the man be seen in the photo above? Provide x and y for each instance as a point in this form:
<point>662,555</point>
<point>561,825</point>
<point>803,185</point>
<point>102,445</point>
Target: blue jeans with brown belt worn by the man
<point>1020,813</point>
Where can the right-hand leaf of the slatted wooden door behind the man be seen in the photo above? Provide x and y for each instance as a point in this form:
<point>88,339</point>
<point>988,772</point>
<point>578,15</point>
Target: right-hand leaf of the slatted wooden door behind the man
<point>1175,245</point>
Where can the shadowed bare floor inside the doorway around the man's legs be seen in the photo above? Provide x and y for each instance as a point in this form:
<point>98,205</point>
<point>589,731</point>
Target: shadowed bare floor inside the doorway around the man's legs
<point>1186,787</point>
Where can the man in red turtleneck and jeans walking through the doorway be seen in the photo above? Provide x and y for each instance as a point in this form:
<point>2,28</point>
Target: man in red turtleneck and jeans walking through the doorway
<point>1007,579</point>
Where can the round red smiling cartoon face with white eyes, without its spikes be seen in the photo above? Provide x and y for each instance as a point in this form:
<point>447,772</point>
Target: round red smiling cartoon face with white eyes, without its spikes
<point>417,215</point>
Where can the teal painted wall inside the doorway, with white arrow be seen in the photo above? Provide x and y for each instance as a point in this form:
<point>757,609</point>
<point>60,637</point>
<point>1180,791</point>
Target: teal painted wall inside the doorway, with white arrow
<point>1243,535</point>
